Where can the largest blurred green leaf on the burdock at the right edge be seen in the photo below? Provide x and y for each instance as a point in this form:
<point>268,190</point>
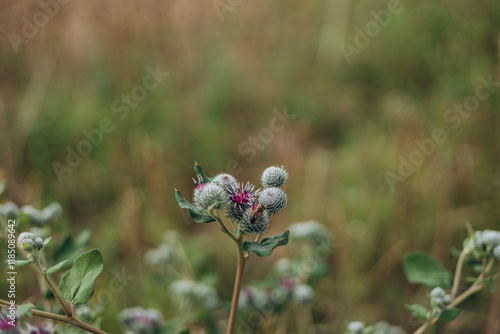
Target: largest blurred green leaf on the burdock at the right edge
<point>423,269</point>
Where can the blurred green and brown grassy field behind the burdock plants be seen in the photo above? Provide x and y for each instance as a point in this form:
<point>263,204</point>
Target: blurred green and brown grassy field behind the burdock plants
<point>352,122</point>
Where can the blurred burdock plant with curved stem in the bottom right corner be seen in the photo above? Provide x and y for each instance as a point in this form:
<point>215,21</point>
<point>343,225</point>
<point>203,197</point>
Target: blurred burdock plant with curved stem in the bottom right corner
<point>481,251</point>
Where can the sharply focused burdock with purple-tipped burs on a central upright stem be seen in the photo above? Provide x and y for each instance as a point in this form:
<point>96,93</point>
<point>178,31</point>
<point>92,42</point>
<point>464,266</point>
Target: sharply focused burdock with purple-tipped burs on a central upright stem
<point>248,210</point>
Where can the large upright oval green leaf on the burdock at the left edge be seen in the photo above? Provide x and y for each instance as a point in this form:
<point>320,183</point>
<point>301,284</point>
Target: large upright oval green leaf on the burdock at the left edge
<point>77,285</point>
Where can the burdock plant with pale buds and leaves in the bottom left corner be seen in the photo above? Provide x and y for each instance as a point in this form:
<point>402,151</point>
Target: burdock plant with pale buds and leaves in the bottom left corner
<point>36,248</point>
